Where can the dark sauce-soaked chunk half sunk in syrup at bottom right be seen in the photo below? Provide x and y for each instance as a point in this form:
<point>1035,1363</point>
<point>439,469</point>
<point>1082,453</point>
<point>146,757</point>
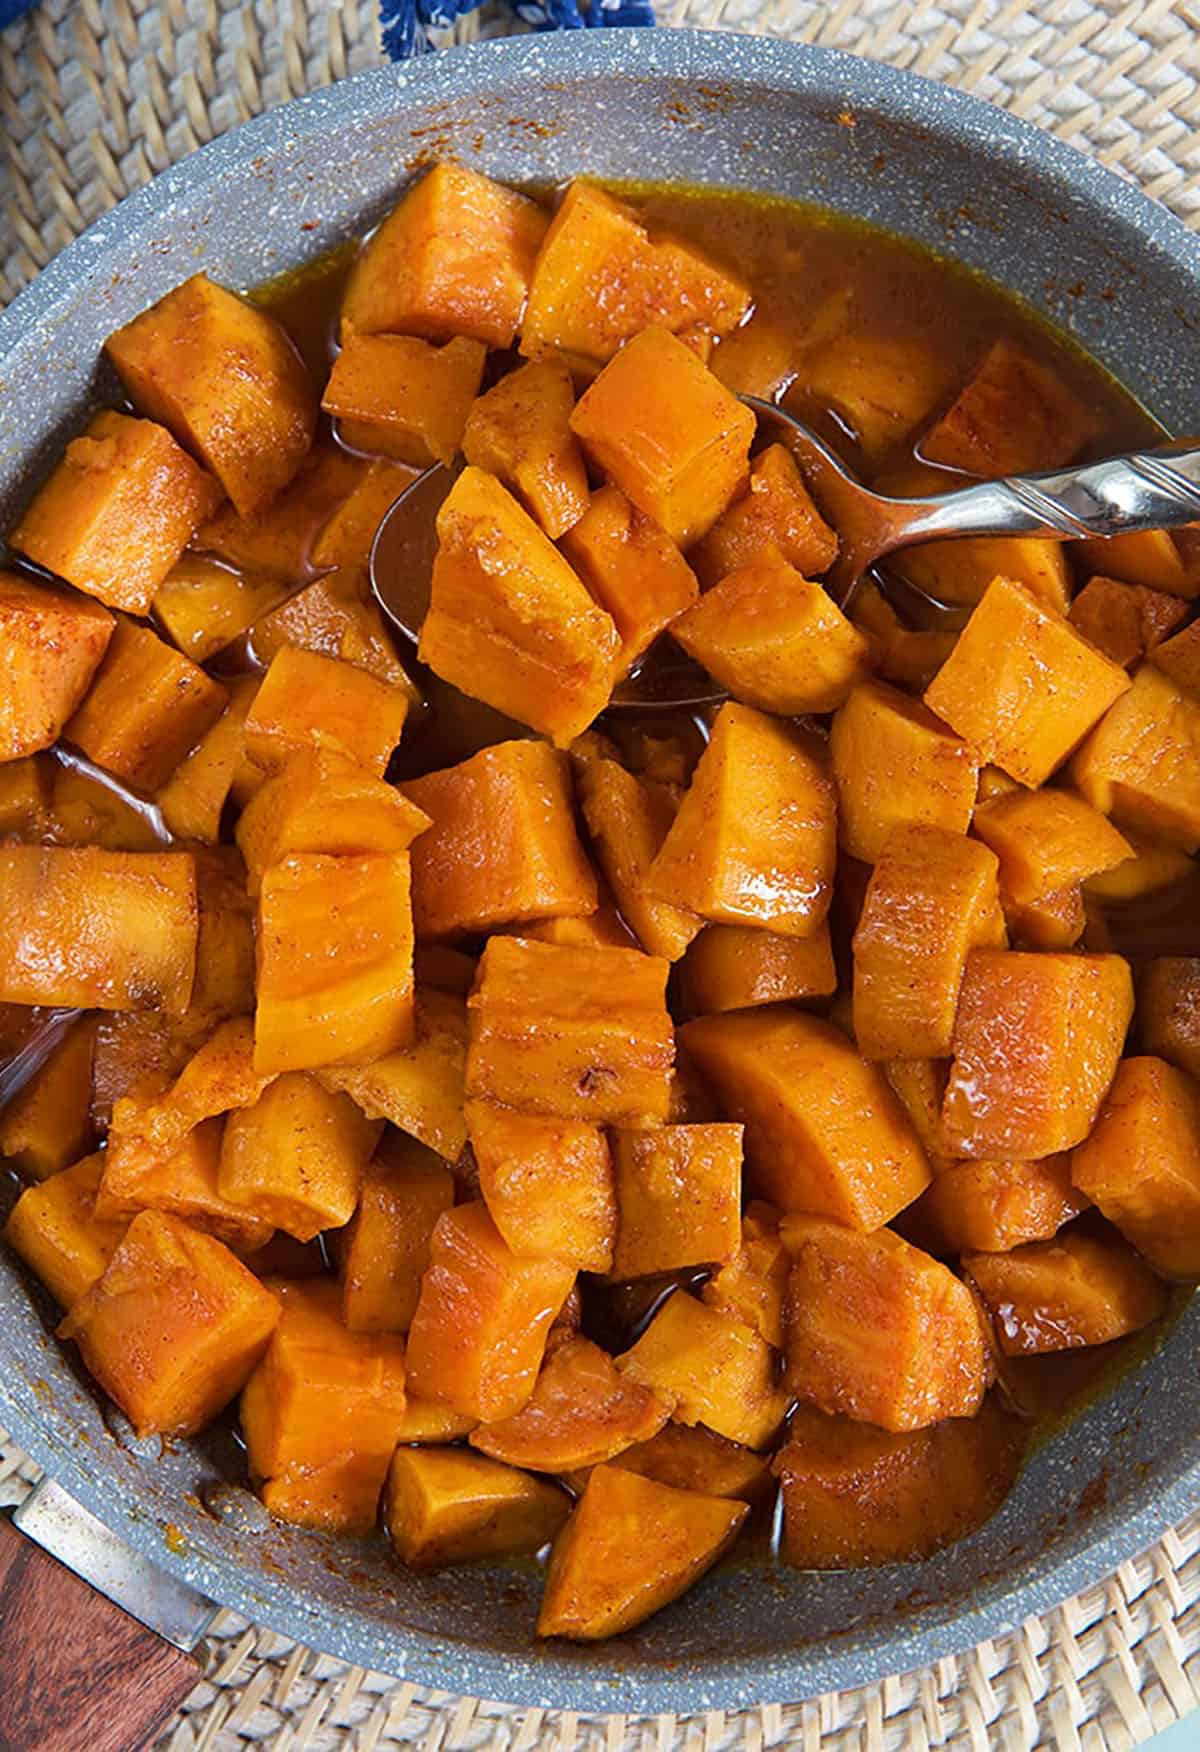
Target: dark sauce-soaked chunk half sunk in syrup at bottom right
<point>856,1497</point>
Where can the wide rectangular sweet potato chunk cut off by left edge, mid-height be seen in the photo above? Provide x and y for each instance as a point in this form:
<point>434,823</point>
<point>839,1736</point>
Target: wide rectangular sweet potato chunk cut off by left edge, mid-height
<point>92,929</point>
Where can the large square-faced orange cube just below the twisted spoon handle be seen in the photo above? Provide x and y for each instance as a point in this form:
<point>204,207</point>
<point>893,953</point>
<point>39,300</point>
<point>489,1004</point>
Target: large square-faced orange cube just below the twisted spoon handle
<point>1020,686</point>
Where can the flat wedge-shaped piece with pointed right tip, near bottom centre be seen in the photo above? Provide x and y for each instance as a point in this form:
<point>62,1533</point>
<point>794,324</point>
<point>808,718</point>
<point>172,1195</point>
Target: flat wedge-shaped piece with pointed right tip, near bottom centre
<point>581,1415</point>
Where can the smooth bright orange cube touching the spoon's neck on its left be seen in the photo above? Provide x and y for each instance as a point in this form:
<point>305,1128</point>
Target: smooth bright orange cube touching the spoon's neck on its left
<point>668,434</point>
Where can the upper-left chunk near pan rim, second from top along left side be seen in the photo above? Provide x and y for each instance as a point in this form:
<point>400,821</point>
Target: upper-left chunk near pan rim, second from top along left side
<point>118,512</point>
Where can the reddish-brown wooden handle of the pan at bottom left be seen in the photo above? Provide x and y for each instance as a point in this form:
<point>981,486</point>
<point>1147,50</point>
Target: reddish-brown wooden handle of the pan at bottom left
<point>76,1672</point>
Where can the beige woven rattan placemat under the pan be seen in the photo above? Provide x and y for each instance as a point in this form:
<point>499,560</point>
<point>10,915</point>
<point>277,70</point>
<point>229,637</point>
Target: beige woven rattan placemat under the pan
<point>95,97</point>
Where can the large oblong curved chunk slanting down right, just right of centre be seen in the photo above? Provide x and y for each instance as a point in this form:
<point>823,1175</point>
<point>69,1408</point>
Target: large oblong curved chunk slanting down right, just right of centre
<point>824,1129</point>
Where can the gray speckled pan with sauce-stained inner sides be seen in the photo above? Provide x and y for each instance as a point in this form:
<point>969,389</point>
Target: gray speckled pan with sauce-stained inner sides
<point>731,111</point>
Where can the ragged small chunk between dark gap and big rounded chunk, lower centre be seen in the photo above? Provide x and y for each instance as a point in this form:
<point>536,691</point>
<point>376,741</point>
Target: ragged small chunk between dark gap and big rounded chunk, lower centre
<point>717,1371</point>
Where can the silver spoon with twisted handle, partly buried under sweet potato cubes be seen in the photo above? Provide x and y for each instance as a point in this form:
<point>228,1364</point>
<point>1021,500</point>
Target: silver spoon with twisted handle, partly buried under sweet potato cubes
<point>1122,495</point>
